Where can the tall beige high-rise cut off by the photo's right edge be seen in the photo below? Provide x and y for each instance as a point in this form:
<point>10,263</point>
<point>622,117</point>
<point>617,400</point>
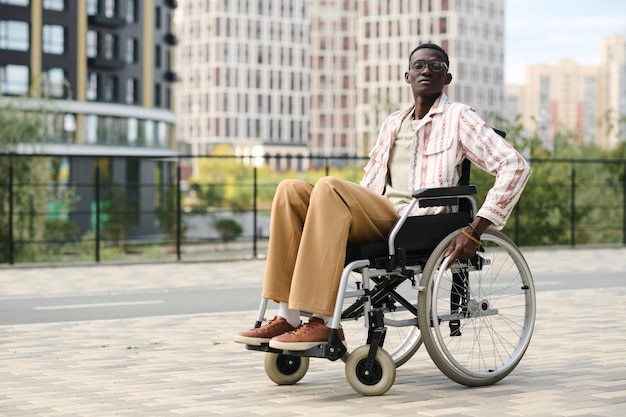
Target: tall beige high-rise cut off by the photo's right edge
<point>612,91</point>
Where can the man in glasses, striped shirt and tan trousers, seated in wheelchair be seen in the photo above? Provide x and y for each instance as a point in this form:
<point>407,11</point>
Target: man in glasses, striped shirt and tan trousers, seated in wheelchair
<point>421,146</point>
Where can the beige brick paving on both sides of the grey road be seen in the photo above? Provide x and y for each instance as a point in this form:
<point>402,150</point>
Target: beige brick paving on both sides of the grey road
<point>188,365</point>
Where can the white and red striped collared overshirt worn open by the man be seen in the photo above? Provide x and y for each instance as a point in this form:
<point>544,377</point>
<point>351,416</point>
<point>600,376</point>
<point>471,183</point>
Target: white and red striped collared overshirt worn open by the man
<point>449,133</point>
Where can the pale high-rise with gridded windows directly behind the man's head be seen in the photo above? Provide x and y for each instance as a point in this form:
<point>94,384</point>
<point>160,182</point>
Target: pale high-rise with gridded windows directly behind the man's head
<point>472,31</point>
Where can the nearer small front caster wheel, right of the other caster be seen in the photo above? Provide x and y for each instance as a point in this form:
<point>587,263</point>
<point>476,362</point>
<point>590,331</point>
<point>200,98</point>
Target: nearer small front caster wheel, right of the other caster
<point>376,381</point>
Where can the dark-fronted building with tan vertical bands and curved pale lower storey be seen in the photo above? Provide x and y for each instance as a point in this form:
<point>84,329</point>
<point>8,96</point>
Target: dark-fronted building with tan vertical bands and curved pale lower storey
<point>107,68</point>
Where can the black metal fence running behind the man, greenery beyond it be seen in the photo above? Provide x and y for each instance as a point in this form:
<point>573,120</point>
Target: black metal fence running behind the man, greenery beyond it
<point>100,208</point>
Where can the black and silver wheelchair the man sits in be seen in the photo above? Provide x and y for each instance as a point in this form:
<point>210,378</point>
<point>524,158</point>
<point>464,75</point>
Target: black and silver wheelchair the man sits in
<point>475,317</point>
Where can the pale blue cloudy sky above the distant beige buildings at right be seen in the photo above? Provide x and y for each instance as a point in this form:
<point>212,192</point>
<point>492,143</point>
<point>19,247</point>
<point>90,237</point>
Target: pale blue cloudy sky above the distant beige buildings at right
<point>541,32</point>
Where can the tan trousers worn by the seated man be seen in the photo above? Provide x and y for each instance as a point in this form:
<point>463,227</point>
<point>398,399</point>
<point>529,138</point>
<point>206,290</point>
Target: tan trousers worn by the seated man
<point>310,228</point>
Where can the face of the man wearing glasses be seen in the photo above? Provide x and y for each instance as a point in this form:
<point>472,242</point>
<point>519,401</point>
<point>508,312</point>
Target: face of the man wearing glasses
<point>423,76</point>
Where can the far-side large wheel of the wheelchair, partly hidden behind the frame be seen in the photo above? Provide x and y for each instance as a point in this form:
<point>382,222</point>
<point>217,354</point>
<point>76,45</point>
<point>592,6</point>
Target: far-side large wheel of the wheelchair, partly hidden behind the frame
<point>403,337</point>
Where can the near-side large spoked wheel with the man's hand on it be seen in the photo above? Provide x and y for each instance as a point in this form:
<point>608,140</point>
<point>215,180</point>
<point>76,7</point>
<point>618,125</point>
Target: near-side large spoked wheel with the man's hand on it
<point>477,317</point>
